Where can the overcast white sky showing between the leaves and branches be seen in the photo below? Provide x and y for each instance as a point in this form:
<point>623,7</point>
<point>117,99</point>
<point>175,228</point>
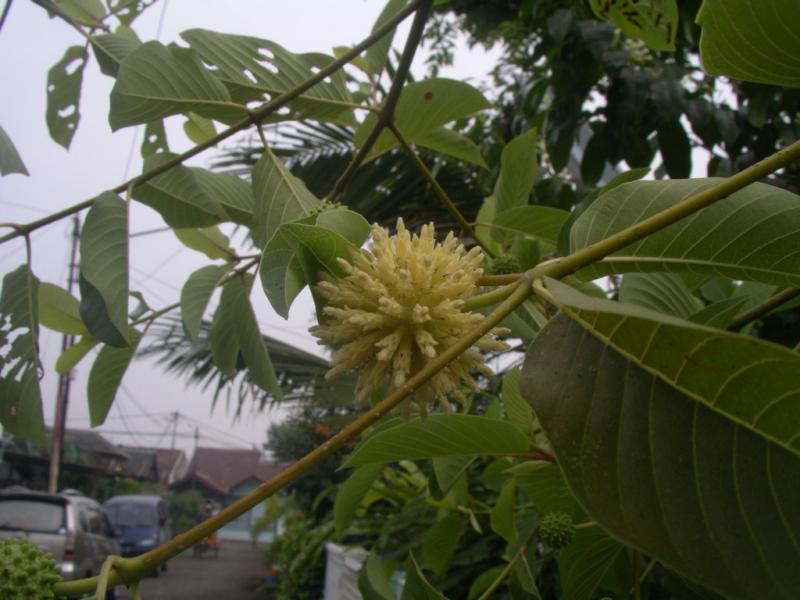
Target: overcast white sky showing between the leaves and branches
<point>30,43</point>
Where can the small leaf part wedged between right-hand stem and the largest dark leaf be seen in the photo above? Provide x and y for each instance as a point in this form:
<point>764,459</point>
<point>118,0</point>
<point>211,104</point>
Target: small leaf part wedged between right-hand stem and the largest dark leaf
<point>662,292</point>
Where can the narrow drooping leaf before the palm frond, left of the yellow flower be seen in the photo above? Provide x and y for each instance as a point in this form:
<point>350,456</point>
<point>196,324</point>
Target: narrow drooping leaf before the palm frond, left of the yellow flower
<point>250,341</point>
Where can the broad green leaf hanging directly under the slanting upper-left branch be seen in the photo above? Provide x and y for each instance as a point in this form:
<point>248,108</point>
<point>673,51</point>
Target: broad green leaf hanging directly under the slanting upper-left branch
<point>182,196</point>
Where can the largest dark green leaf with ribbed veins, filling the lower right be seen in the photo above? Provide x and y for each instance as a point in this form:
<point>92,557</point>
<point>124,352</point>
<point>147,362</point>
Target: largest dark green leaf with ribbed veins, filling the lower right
<point>686,473</point>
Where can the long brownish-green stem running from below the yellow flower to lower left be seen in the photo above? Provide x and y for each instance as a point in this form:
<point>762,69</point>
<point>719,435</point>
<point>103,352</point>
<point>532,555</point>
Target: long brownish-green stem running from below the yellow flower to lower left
<point>136,567</point>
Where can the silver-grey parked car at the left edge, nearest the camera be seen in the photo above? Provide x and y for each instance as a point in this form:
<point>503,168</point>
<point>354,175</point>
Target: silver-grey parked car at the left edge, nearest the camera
<point>73,528</point>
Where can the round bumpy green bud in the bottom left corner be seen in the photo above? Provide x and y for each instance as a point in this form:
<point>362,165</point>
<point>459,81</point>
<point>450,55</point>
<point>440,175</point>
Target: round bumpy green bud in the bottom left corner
<point>26,571</point>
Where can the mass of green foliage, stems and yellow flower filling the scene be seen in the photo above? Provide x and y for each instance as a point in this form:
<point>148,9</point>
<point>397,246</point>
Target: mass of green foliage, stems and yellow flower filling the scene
<point>646,445</point>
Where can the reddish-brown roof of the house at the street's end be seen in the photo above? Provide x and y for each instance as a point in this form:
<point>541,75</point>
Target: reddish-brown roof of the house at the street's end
<point>222,469</point>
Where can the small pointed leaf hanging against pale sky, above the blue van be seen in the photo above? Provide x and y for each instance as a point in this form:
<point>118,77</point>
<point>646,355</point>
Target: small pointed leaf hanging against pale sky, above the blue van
<point>105,377</point>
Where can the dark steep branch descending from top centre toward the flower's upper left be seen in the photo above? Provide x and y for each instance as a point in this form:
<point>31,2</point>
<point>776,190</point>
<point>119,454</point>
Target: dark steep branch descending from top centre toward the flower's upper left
<point>386,115</point>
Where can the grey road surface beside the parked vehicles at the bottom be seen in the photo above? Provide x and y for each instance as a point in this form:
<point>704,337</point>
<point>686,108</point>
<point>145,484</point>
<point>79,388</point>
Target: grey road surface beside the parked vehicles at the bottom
<point>232,576</point>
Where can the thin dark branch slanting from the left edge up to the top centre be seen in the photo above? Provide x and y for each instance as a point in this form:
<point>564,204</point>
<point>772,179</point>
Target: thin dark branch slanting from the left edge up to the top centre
<point>255,117</point>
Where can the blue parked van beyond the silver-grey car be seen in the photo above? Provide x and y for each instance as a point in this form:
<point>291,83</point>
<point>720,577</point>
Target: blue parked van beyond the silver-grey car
<point>140,522</point>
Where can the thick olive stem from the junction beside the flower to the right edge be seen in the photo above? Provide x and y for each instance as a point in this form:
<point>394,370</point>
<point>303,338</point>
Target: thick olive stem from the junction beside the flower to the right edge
<point>562,267</point>
